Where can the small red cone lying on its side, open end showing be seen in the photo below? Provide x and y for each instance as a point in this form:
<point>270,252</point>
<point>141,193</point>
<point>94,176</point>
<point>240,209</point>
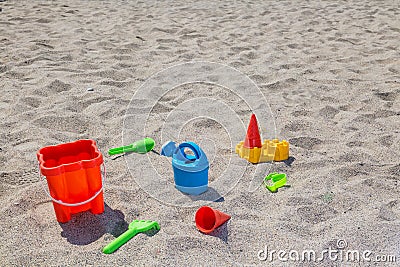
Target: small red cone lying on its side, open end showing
<point>208,219</point>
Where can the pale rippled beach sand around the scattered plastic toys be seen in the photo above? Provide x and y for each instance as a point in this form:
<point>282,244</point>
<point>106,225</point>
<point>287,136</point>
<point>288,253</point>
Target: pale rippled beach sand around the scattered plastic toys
<point>330,72</point>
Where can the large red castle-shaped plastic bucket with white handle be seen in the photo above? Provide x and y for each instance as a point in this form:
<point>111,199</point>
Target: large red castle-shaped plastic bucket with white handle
<point>73,177</point>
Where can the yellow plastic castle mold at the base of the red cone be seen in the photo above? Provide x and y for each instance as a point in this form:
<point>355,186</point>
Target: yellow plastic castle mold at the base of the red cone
<point>271,150</point>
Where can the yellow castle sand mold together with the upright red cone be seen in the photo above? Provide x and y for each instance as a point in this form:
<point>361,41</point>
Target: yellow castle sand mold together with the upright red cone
<point>254,151</point>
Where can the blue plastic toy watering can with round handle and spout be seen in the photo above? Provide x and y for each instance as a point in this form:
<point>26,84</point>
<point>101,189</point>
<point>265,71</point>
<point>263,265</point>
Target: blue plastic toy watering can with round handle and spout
<point>190,171</point>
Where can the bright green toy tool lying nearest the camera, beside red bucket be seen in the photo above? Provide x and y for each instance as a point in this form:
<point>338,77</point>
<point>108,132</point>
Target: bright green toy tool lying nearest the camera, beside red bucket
<point>134,228</point>
